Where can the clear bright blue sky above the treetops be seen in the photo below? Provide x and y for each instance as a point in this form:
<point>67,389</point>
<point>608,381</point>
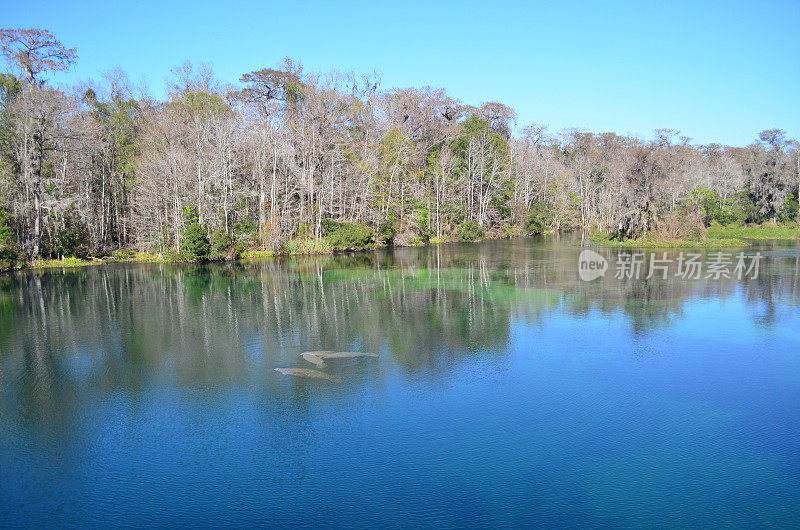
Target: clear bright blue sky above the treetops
<point>716,71</point>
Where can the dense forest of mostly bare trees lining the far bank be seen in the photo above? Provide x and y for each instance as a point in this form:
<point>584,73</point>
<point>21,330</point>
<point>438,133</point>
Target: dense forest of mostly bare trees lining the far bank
<point>293,161</point>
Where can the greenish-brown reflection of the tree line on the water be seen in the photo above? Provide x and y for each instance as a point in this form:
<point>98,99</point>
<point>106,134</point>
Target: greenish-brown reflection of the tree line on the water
<point>422,309</point>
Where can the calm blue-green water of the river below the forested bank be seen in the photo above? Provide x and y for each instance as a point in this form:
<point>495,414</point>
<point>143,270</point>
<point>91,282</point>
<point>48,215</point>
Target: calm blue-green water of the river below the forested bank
<point>505,391</point>
